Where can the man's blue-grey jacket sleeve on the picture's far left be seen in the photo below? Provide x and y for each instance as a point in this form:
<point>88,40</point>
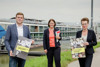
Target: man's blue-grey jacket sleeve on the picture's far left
<point>7,39</point>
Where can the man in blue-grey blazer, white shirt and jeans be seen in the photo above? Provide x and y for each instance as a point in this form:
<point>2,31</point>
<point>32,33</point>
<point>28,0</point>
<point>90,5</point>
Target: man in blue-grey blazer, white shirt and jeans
<point>13,31</point>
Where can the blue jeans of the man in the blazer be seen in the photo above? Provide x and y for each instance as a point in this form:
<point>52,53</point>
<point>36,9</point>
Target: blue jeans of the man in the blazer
<point>16,62</point>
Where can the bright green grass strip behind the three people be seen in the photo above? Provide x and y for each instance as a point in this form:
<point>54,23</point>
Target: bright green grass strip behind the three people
<point>66,58</point>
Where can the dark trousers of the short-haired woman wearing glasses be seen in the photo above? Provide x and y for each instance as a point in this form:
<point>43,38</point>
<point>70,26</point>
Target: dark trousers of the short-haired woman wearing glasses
<point>86,62</point>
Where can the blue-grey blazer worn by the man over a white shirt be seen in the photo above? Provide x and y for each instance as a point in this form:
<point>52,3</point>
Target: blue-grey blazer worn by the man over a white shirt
<point>12,36</point>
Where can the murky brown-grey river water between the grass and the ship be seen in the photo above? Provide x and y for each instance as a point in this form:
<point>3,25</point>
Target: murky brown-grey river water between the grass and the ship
<point>4,59</point>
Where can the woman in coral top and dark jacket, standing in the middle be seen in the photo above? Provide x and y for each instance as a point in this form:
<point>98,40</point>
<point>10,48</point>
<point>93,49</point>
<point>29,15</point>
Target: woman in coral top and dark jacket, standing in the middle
<point>51,43</point>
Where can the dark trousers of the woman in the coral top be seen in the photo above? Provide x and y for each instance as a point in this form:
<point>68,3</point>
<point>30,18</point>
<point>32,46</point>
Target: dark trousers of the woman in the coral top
<point>54,52</point>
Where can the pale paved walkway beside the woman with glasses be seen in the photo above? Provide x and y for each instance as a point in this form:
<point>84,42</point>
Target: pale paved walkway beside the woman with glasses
<point>95,62</point>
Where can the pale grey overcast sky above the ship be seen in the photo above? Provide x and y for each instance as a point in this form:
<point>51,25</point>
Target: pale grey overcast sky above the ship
<point>60,10</point>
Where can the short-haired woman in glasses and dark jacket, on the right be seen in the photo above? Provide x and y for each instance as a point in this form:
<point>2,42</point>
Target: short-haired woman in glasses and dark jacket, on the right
<point>90,41</point>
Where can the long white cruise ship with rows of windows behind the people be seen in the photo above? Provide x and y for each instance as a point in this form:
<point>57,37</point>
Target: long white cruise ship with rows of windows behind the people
<point>37,27</point>
